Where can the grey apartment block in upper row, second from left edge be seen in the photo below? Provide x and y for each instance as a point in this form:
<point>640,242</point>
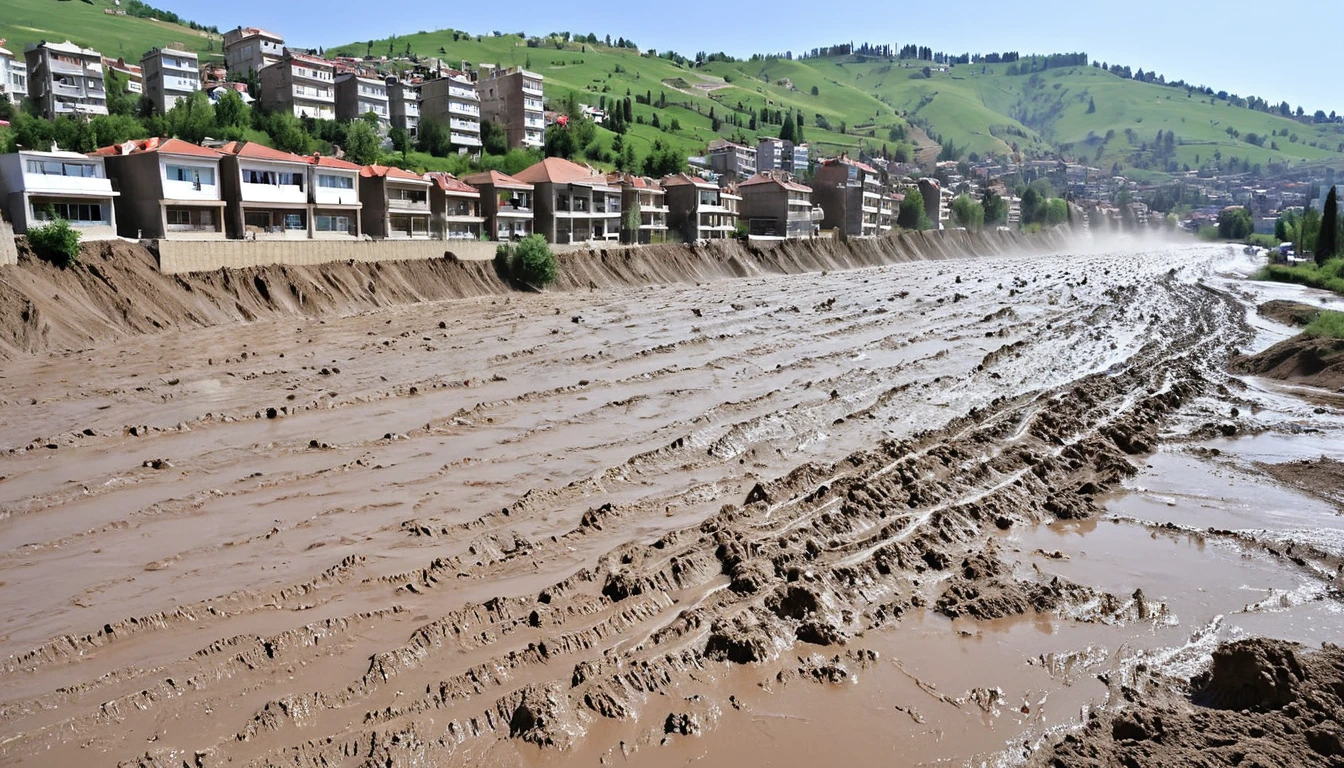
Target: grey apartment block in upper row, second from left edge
<point>65,80</point>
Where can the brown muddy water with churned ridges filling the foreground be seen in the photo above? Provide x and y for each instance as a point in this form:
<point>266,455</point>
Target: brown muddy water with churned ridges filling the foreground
<point>532,528</point>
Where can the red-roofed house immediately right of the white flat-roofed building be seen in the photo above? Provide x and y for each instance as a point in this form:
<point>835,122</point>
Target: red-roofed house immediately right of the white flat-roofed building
<point>170,189</point>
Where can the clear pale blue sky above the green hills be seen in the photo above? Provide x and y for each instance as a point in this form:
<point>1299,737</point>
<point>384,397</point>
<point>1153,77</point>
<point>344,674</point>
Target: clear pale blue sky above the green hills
<point>1277,50</point>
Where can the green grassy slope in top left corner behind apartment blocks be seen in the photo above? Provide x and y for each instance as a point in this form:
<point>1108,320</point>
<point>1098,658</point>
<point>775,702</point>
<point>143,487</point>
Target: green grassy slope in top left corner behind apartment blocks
<point>85,22</point>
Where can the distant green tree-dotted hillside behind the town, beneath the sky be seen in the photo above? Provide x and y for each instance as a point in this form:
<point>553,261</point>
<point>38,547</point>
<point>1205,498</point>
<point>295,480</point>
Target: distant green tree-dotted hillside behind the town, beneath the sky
<point>1083,114</point>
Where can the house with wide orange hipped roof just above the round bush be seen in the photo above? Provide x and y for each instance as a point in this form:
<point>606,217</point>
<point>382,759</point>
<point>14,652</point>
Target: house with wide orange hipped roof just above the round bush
<point>575,204</point>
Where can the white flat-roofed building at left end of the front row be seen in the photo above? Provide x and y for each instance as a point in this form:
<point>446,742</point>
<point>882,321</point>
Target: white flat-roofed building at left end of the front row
<point>37,185</point>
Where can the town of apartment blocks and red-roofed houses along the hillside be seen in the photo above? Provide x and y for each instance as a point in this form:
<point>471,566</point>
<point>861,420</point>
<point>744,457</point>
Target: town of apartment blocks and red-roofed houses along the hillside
<point>252,188</point>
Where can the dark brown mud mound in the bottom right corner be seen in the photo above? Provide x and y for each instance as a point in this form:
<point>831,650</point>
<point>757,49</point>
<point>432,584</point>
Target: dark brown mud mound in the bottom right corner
<point>1263,704</point>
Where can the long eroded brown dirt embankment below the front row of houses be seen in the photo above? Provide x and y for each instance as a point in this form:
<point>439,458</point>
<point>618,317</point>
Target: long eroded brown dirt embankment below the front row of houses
<point>118,289</point>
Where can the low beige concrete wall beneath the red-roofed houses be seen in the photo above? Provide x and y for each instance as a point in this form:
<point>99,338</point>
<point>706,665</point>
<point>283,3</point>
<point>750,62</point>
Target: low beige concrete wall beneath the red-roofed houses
<point>177,258</point>
